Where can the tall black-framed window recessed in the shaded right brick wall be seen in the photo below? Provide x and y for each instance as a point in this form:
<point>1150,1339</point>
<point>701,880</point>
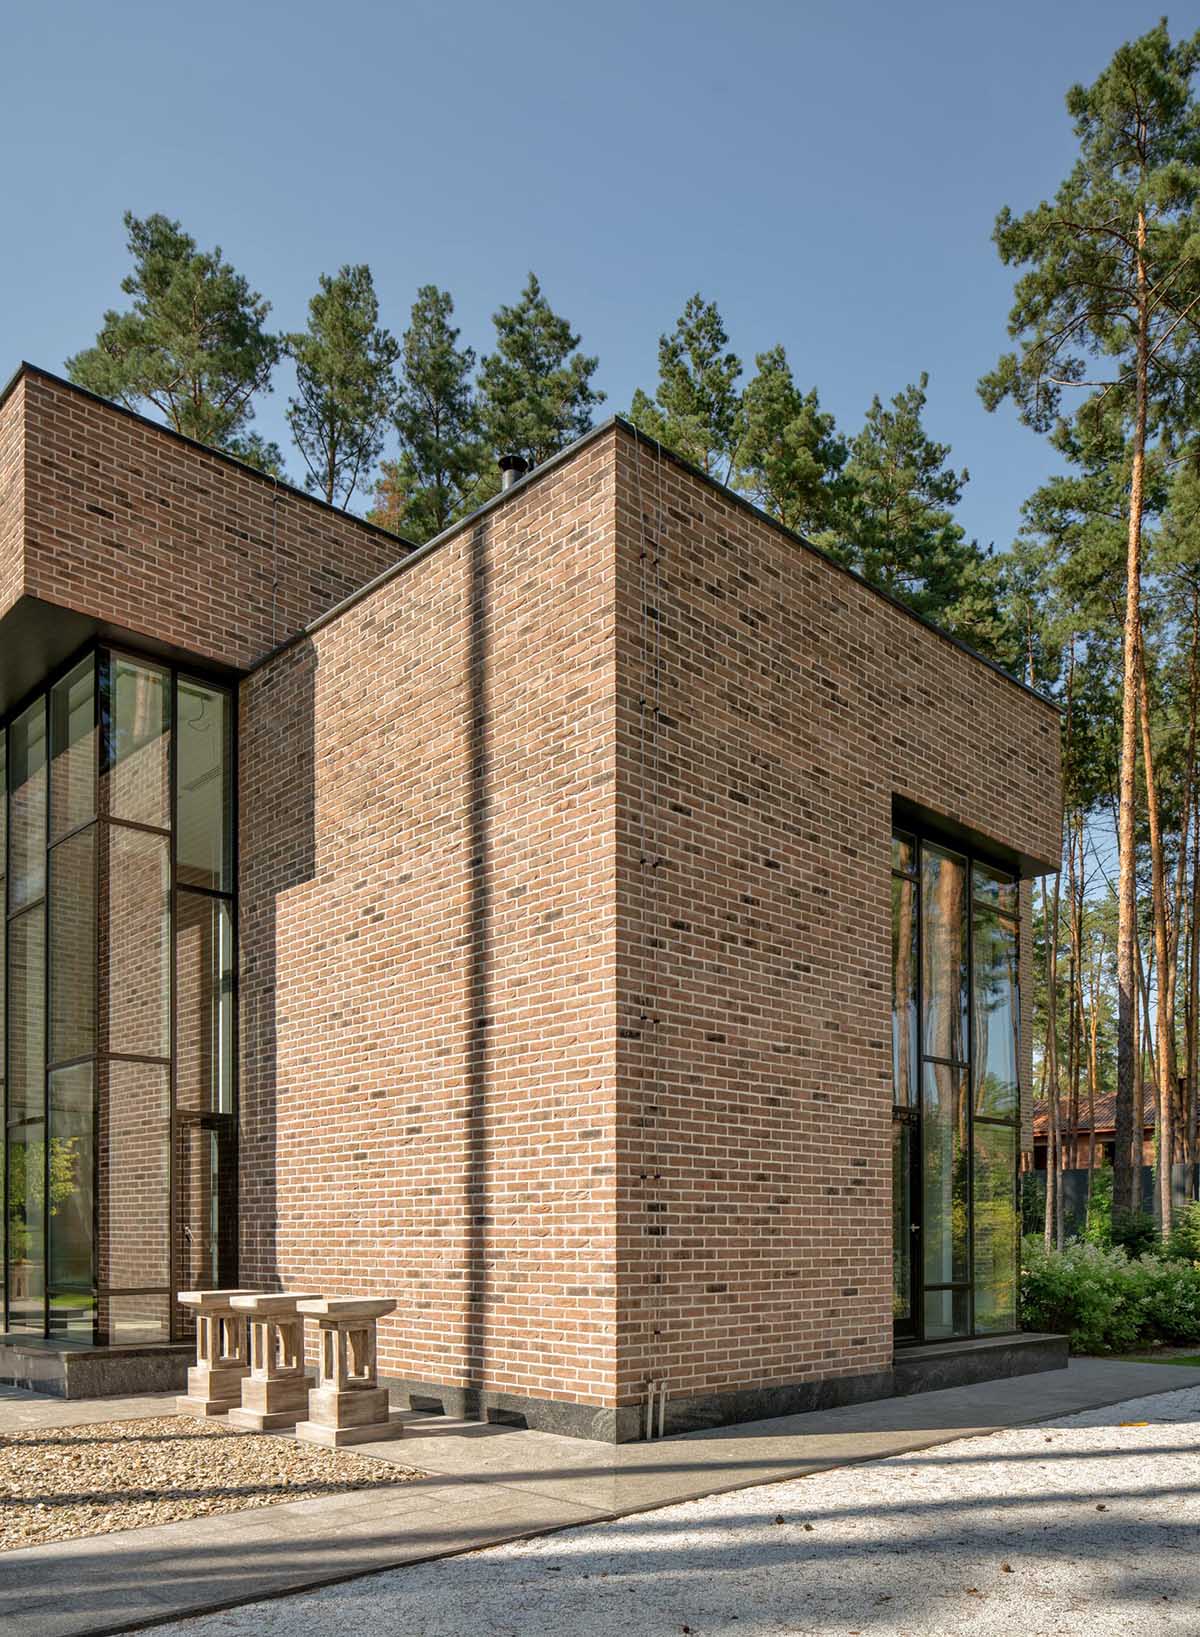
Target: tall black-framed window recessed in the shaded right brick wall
<point>955,1093</point>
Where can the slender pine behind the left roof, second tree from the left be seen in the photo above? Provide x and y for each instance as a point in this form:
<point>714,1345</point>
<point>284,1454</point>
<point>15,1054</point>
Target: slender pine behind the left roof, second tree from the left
<point>345,384</point>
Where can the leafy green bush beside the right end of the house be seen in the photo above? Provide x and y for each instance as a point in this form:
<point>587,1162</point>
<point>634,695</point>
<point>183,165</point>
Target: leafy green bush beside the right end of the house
<point>1108,1302</point>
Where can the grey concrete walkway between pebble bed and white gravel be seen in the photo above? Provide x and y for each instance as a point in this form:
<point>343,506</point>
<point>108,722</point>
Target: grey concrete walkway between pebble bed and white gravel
<point>484,1486</point>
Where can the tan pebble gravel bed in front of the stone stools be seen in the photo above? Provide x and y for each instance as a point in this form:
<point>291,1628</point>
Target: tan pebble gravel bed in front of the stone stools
<point>58,1484</point>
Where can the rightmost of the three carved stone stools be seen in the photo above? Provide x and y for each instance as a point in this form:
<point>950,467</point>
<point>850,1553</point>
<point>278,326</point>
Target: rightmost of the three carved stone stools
<point>348,1404</point>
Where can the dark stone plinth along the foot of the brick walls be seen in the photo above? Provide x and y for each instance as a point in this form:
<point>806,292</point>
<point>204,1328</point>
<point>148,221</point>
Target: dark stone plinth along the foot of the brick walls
<point>914,1371</point>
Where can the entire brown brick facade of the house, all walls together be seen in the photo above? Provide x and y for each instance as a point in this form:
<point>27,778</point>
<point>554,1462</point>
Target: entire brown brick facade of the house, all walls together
<point>564,870</point>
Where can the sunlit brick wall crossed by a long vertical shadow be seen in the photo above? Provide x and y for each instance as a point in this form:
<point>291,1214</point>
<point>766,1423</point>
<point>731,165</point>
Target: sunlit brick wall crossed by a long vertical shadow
<point>428,986</point>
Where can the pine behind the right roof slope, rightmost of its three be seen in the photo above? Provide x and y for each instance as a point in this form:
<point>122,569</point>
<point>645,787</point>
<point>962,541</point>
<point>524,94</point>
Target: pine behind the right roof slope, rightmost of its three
<point>903,534</point>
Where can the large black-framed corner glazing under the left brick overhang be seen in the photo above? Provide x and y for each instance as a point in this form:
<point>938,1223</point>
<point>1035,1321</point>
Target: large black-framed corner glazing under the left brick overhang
<point>119,1022</point>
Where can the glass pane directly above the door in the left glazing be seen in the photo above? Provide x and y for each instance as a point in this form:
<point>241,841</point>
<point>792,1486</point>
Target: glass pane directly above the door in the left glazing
<point>204,1004</point>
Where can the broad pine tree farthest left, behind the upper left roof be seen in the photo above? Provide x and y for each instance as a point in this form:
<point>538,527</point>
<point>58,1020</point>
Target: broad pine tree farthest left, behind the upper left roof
<point>194,345</point>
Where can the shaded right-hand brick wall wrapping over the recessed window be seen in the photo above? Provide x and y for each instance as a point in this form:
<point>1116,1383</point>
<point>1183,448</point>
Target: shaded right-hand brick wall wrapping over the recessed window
<point>787,706</point>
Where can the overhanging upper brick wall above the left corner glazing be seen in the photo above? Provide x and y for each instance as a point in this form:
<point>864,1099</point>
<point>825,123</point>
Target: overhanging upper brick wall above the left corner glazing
<point>138,528</point>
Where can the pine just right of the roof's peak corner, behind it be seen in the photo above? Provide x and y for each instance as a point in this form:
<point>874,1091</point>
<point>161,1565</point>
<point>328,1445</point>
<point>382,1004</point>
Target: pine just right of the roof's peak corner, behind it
<point>697,408</point>
